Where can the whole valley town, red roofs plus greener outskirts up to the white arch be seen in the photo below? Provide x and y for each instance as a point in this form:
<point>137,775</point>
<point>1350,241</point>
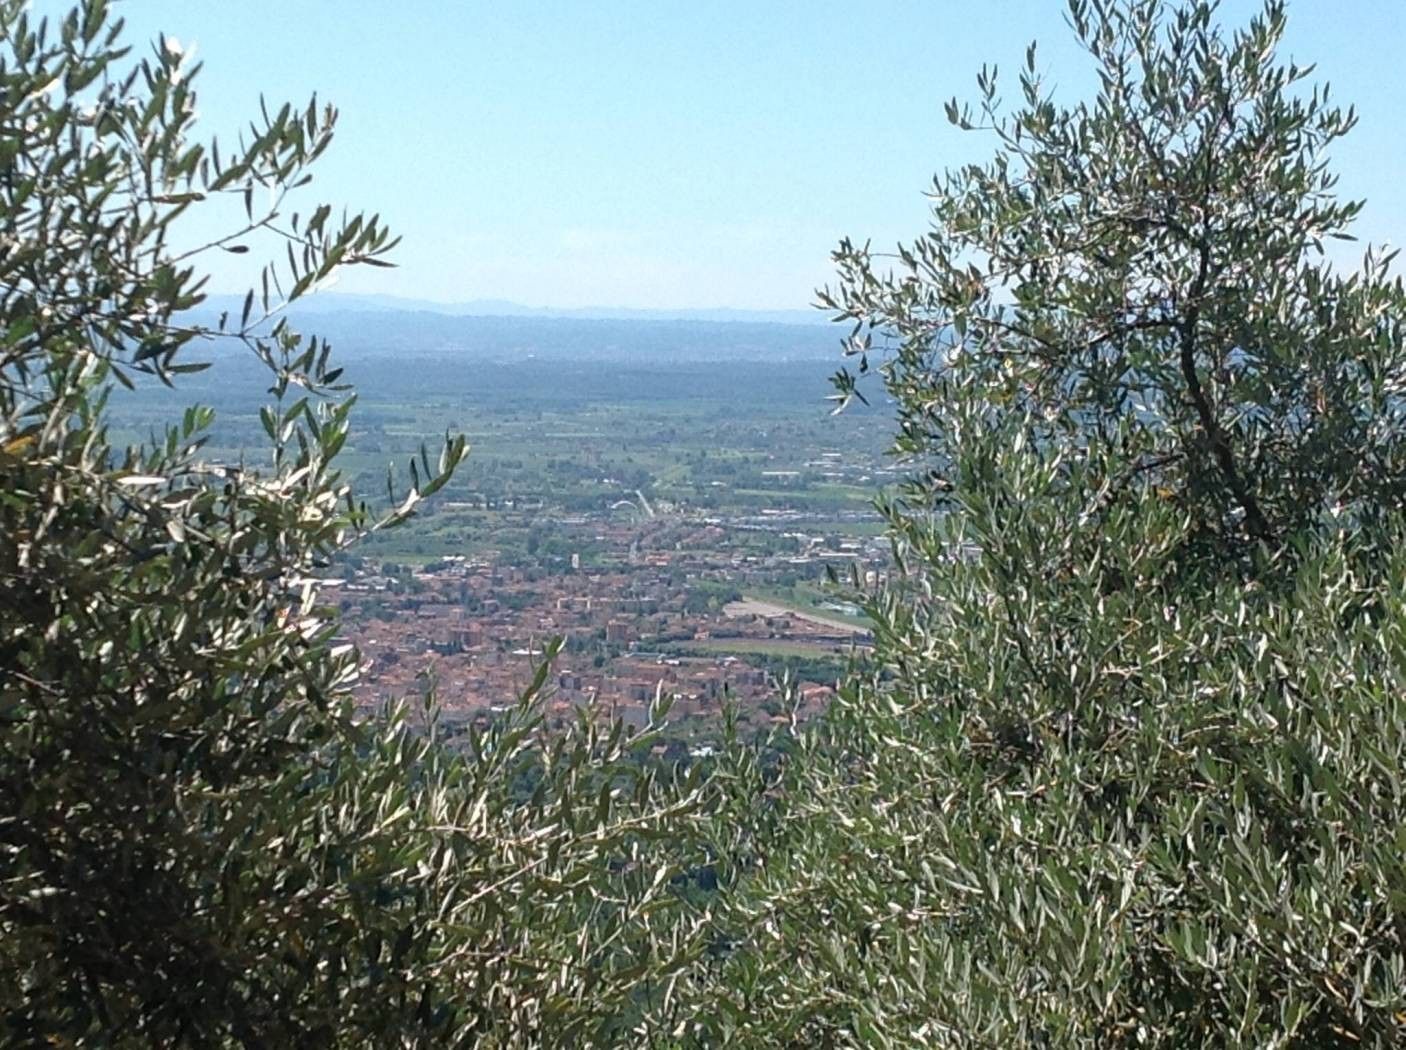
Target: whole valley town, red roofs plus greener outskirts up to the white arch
<point>671,607</point>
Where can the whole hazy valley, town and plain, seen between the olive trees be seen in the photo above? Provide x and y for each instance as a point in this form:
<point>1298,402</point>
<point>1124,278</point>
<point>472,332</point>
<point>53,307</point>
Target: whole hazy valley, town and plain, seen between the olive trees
<point>674,522</point>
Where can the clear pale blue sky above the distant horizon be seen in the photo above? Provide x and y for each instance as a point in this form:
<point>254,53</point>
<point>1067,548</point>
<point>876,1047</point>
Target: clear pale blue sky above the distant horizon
<point>677,155</point>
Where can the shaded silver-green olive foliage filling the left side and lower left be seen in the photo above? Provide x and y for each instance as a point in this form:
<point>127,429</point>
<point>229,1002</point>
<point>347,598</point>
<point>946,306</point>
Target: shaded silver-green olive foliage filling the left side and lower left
<point>199,844</point>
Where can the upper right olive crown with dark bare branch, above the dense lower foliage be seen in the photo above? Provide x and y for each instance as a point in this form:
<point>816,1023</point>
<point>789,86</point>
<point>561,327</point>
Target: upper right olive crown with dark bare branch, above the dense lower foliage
<point>1147,273</point>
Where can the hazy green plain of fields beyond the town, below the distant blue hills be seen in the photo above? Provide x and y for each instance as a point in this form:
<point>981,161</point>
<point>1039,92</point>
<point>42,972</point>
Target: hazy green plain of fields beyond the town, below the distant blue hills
<point>560,449</point>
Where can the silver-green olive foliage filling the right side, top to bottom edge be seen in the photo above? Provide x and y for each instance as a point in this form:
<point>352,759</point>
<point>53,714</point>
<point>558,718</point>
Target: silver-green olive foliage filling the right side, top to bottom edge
<point>1128,770</point>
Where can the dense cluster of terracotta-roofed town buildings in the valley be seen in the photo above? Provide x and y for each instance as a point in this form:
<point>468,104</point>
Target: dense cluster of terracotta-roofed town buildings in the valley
<point>477,633</point>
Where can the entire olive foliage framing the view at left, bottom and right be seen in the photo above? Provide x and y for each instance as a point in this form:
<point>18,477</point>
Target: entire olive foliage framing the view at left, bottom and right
<point>1126,767</point>
